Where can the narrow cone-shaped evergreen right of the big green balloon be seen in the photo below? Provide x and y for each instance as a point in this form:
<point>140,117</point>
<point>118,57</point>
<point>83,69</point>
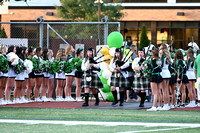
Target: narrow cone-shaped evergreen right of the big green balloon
<point>144,41</point>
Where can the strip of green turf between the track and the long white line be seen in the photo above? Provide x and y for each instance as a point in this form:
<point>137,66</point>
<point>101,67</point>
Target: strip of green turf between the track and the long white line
<point>99,115</point>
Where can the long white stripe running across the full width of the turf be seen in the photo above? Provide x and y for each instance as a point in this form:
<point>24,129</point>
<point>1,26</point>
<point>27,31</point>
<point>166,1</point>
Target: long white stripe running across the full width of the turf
<point>100,123</point>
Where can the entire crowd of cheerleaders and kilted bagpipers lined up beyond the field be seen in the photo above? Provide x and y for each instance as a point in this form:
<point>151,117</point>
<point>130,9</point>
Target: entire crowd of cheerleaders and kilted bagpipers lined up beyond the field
<point>167,72</point>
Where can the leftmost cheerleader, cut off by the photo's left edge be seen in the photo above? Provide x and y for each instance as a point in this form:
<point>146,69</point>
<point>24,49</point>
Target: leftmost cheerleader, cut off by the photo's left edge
<point>4,77</point>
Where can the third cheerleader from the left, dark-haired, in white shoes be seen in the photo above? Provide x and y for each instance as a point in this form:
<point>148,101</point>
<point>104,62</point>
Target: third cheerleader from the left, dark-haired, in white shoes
<point>20,78</point>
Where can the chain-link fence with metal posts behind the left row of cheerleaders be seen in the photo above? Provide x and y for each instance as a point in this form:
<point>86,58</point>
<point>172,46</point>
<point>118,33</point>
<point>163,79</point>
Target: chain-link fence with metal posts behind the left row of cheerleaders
<point>56,34</point>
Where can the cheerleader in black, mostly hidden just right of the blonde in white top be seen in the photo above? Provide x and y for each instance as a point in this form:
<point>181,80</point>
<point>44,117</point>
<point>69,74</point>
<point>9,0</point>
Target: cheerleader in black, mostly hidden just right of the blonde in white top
<point>172,84</point>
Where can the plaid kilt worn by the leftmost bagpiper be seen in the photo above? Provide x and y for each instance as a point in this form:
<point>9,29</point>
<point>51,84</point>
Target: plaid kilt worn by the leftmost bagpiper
<point>94,83</point>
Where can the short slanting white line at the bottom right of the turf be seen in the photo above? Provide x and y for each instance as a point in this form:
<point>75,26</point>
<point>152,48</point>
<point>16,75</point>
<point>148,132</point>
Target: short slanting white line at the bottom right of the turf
<point>155,130</point>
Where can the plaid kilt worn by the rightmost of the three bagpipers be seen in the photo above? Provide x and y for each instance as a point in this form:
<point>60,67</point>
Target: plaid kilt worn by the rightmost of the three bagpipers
<point>141,83</point>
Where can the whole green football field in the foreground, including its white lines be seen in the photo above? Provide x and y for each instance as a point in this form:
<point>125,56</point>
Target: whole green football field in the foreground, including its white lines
<point>18,119</point>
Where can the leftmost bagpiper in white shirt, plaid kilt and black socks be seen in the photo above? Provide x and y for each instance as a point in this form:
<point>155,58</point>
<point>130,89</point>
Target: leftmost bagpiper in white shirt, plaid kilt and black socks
<point>90,79</point>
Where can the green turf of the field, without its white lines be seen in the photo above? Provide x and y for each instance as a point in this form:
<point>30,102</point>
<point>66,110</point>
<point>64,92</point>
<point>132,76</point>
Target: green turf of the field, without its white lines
<point>93,115</point>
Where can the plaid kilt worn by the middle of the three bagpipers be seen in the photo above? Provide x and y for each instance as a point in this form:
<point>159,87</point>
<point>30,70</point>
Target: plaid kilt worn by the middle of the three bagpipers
<point>120,81</point>
